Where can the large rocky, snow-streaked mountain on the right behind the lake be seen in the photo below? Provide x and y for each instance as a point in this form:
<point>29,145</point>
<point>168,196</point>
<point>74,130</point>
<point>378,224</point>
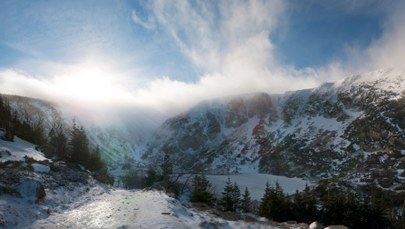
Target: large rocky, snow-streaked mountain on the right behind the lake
<point>354,128</point>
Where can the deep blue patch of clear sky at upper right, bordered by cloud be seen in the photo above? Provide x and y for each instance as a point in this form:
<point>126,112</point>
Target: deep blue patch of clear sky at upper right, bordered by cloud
<point>314,33</point>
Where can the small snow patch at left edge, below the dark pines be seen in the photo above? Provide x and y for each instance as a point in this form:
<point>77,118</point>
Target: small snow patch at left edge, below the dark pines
<point>17,150</point>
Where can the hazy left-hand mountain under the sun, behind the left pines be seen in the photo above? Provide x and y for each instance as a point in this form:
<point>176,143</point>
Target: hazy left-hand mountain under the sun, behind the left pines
<point>116,140</point>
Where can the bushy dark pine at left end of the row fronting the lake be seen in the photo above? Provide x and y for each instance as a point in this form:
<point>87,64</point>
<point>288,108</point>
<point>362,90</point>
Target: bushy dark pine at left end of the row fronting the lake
<point>201,190</point>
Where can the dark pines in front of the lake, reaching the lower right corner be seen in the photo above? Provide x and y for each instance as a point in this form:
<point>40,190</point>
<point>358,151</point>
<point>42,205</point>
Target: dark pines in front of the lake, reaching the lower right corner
<point>329,206</point>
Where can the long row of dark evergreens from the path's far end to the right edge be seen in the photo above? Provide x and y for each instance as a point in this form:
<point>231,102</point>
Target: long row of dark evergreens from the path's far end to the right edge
<point>325,203</point>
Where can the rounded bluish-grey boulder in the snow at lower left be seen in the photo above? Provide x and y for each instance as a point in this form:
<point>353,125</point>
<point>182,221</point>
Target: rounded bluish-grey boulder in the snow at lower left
<point>31,190</point>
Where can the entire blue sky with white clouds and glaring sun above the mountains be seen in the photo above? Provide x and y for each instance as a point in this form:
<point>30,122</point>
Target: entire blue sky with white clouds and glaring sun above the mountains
<point>166,56</point>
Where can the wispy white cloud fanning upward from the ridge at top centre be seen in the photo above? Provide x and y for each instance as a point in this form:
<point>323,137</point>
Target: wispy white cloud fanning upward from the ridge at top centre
<point>229,42</point>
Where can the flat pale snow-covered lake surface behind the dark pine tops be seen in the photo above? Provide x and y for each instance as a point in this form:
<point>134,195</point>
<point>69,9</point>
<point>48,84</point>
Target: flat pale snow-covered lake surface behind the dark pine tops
<point>256,183</point>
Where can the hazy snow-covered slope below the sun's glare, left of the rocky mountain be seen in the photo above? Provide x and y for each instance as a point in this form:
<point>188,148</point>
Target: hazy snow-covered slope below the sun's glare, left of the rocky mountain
<point>120,139</point>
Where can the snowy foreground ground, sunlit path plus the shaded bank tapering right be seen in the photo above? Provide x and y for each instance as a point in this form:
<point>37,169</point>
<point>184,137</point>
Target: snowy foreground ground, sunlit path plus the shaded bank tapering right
<point>137,209</point>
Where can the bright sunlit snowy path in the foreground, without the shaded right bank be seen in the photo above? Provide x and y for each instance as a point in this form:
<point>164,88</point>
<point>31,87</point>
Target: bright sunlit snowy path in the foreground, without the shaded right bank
<point>119,209</point>
